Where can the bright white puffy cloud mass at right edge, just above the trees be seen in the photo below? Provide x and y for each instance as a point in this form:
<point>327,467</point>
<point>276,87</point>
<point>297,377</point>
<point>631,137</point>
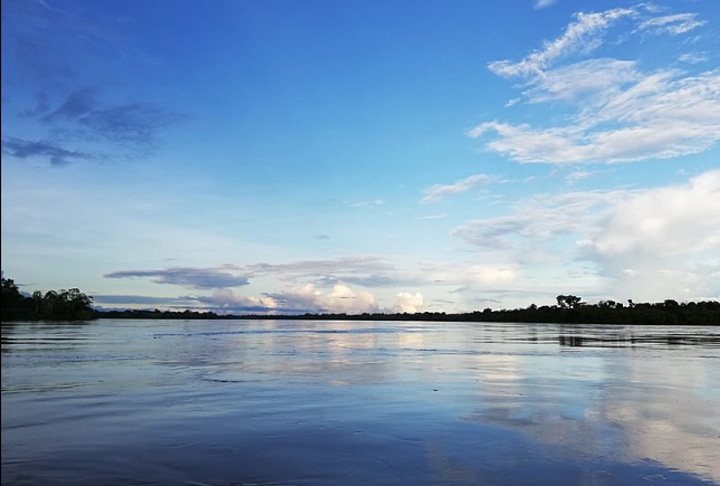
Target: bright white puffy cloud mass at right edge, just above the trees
<point>664,242</point>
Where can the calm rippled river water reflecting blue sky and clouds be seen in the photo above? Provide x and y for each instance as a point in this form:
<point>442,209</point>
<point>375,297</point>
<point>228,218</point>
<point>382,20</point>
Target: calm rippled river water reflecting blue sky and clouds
<point>127,402</point>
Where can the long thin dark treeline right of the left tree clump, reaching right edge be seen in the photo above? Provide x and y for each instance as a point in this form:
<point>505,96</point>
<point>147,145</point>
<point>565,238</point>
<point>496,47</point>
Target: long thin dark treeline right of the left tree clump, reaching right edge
<point>568,310</point>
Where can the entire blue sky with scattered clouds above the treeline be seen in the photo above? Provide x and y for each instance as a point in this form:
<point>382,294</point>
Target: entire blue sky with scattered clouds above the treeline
<point>284,156</point>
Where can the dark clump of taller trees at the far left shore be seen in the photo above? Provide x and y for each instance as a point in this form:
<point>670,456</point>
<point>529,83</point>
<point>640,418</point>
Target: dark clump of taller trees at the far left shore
<point>63,305</point>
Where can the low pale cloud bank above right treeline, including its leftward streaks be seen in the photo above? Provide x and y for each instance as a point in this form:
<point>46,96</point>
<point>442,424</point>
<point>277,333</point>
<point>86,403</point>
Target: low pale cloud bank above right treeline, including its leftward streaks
<point>648,244</point>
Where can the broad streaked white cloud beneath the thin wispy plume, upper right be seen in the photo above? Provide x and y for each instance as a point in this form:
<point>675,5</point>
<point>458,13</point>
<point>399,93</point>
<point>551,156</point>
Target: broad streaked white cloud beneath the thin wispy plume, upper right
<point>662,115</point>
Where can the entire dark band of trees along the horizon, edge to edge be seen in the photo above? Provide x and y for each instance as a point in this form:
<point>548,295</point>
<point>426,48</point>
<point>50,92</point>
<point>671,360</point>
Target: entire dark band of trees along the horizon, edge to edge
<point>73,305</point>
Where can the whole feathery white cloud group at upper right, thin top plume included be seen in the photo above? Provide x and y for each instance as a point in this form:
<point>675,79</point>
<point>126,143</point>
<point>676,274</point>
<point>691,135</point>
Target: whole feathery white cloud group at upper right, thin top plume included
<point>617,111</point>
